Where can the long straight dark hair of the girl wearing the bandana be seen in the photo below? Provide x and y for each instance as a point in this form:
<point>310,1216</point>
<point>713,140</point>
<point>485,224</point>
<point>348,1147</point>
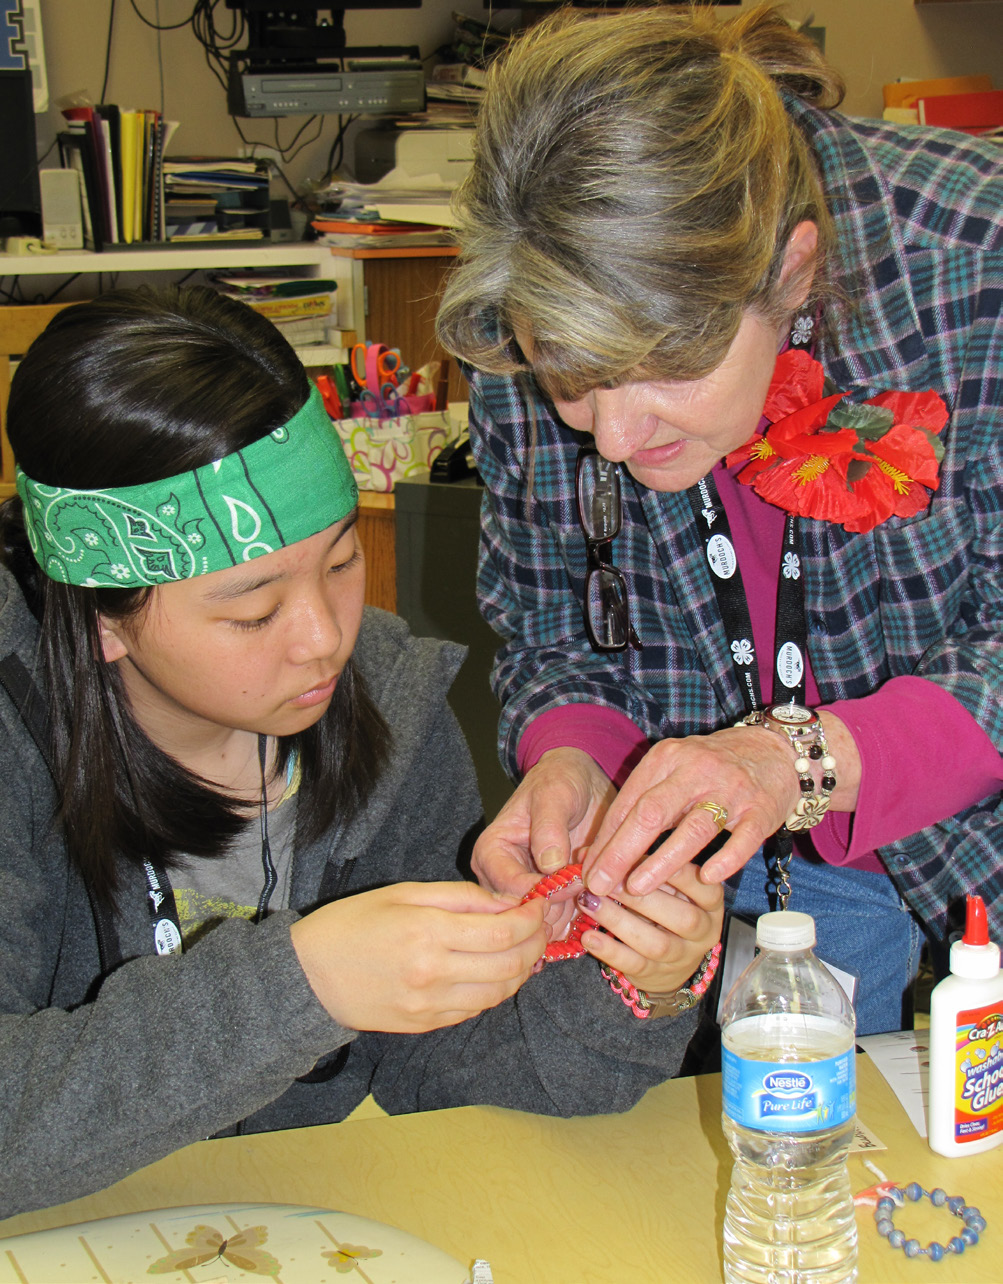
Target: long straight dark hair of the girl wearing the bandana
<point>134,387</point>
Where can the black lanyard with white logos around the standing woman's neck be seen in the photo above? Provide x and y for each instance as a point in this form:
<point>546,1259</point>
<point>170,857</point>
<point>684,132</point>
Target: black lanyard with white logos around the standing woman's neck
<point>790,641</point>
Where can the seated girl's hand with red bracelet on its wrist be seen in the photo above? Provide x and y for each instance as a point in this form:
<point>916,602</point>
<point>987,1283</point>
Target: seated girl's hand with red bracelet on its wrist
<point>658,941</point>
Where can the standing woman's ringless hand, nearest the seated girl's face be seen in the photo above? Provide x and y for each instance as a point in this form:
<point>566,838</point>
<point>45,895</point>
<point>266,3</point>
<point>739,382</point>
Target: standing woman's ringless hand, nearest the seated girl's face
<point>548,824</point>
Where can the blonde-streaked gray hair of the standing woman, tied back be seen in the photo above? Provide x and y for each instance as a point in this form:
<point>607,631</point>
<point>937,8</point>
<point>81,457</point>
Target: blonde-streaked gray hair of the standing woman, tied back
<point>636,182</point>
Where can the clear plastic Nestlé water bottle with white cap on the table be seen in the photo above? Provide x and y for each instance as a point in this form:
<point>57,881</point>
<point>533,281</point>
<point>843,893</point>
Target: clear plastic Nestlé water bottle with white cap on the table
<point>790,1101</point>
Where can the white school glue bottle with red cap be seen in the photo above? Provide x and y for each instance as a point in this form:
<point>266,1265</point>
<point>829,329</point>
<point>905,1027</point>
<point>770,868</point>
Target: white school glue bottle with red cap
<point>966,1045</point>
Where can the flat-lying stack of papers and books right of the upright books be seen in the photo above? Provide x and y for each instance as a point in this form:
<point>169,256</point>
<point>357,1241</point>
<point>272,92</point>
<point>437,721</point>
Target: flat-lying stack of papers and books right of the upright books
<point>216,198</point>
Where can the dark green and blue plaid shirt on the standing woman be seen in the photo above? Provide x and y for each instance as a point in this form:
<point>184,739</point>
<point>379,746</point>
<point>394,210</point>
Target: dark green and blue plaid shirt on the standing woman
<point>921,257</point>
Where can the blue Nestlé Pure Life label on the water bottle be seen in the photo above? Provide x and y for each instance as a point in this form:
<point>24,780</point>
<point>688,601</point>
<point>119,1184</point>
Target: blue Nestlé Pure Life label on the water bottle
<point>816,1092</point>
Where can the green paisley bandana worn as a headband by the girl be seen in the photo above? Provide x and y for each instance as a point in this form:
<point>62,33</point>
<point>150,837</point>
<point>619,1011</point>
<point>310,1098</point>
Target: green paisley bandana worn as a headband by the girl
<point>288,486</point>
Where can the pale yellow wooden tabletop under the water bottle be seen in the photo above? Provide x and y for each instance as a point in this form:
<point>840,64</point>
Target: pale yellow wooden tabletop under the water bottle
<point>615,1200</point>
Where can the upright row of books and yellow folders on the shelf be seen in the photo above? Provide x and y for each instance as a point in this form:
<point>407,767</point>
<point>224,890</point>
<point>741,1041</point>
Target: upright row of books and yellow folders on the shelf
<point>119,155</point>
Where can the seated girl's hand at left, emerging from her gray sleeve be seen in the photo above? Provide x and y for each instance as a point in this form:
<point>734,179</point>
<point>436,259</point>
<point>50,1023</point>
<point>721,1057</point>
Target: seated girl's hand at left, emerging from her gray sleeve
<point>417,957</point>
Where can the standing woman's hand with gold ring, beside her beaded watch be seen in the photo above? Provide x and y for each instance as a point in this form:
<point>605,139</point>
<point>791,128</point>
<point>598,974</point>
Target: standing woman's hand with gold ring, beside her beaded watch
<point>747,771</point>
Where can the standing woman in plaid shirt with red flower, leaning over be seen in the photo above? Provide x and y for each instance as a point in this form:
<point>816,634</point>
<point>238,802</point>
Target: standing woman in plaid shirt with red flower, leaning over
<point>735,368</point>
